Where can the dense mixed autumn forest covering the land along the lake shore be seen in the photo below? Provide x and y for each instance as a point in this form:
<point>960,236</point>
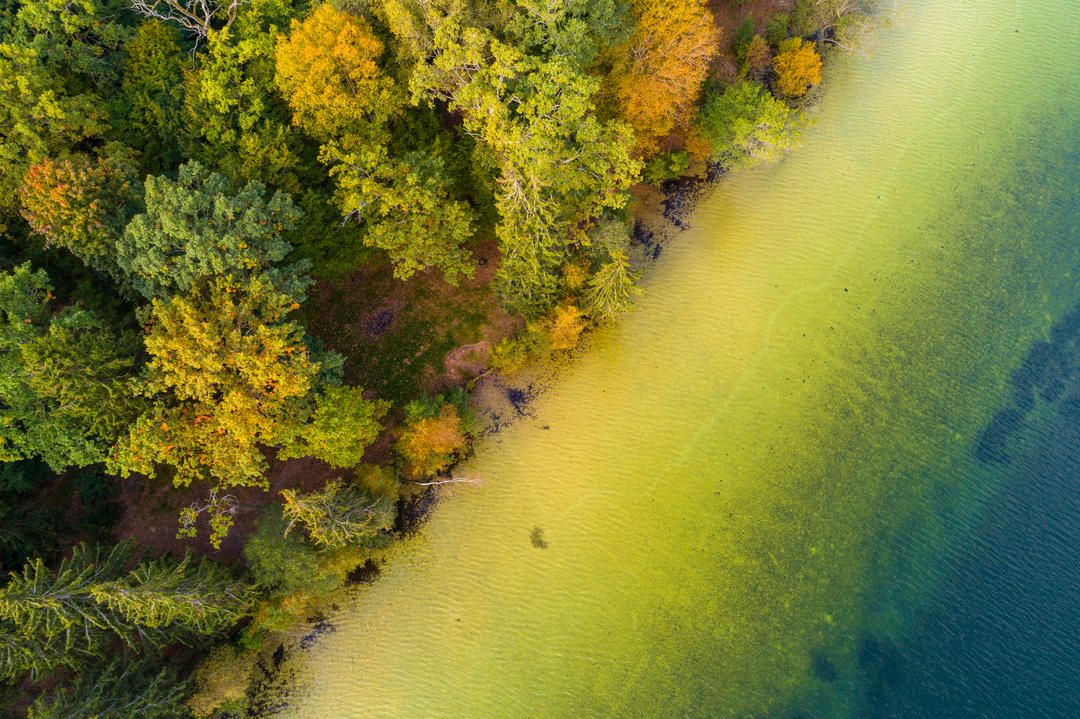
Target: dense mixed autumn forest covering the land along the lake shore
<point>242,240</point>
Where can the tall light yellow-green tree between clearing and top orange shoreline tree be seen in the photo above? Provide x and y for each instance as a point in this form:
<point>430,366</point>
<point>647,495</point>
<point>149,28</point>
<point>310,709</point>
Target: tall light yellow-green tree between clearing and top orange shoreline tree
<point>560,165</point>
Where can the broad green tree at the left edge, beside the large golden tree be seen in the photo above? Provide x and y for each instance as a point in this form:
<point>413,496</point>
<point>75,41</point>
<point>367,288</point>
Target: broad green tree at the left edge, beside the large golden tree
<point>66,378</point>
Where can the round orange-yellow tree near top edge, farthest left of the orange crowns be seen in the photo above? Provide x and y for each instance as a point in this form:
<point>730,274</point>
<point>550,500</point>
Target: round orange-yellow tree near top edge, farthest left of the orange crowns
<point>328,69</point>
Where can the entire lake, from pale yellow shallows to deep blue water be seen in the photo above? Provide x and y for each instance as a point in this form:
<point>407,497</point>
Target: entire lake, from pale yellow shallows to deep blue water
<point>778,487</point>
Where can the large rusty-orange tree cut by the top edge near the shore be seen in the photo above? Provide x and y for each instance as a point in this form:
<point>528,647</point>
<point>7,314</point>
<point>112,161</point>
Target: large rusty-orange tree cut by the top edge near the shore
<point>659,74</point>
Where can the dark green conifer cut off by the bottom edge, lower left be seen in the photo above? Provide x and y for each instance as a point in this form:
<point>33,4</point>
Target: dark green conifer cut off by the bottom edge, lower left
<point>121,690</point>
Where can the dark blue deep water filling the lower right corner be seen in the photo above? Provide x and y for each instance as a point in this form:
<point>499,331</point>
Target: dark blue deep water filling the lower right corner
<point>1002,639</point>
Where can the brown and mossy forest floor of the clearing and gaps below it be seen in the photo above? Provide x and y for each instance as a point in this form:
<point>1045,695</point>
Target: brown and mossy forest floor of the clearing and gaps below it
<point>400,340</point>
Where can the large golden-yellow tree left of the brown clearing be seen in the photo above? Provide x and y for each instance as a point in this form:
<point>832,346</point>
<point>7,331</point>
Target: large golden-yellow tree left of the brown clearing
<point>225,368</point>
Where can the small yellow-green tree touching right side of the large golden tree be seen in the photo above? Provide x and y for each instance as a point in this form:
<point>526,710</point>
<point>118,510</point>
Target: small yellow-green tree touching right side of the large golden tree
<point>339,430</point>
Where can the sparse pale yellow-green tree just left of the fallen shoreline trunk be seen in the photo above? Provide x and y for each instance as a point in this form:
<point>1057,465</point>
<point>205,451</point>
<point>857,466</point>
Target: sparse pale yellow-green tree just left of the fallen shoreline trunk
<point>340,515</point>
